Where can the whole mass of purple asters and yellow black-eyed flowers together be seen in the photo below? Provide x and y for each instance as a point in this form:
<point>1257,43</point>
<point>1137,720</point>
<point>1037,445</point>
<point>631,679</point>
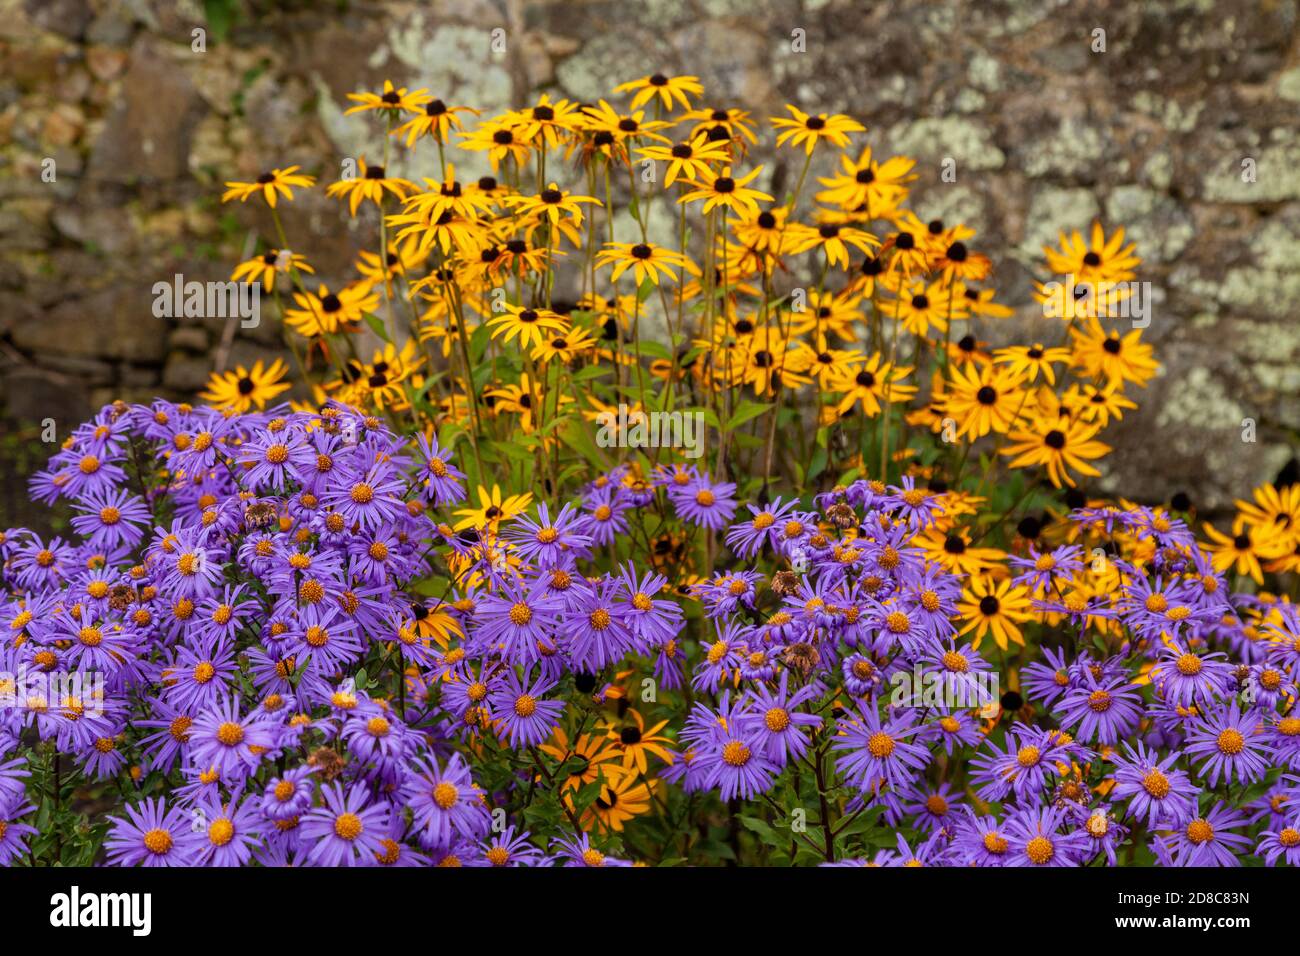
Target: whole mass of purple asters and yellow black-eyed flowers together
<point>419,616</point>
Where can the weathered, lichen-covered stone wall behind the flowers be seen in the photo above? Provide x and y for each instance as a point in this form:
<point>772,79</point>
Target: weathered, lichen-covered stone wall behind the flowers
<point>1046,132</point>
